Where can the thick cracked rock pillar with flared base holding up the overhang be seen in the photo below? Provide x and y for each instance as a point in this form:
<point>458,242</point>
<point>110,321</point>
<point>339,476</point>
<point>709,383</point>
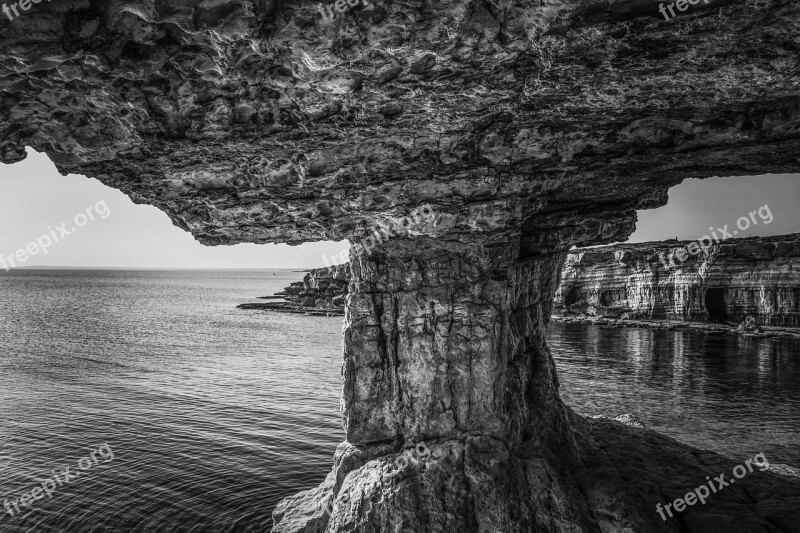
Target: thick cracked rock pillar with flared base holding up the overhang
<point>451,405</point>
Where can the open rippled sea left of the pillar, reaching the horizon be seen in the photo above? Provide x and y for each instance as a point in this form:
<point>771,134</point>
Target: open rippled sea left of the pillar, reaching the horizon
<point>213,413</point>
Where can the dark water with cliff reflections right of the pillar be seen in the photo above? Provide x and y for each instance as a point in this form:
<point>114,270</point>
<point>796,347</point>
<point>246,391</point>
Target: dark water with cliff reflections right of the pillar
<point>730,394</point>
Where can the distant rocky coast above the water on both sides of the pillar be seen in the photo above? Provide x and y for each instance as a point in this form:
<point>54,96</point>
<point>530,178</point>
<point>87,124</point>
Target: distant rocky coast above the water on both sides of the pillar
<point>741,286</point>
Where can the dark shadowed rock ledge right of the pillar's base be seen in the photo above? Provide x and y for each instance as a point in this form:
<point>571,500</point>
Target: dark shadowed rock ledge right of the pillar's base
<point>650,469</point>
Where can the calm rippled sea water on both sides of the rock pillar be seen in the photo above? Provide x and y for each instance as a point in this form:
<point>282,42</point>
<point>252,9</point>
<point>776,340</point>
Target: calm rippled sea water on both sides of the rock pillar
<point>213,413</point>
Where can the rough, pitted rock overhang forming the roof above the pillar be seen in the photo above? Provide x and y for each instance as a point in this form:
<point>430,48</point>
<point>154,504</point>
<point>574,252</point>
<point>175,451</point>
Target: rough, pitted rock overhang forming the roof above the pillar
<point>256,121</point>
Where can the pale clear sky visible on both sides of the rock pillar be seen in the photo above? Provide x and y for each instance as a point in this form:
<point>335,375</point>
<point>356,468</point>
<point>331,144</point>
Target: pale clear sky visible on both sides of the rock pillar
<point>35,200</point>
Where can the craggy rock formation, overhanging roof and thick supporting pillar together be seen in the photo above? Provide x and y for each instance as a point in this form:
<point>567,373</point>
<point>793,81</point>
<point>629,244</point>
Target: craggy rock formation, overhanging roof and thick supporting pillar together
<point>526,127</point>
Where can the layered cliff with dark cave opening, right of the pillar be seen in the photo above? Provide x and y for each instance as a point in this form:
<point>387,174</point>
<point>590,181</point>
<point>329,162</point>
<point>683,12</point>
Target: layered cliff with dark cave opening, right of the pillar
<point>727,282</point>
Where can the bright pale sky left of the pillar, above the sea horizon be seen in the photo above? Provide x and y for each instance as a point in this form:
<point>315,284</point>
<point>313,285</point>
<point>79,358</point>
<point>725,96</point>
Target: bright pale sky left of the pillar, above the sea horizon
<point>33,196</point>
